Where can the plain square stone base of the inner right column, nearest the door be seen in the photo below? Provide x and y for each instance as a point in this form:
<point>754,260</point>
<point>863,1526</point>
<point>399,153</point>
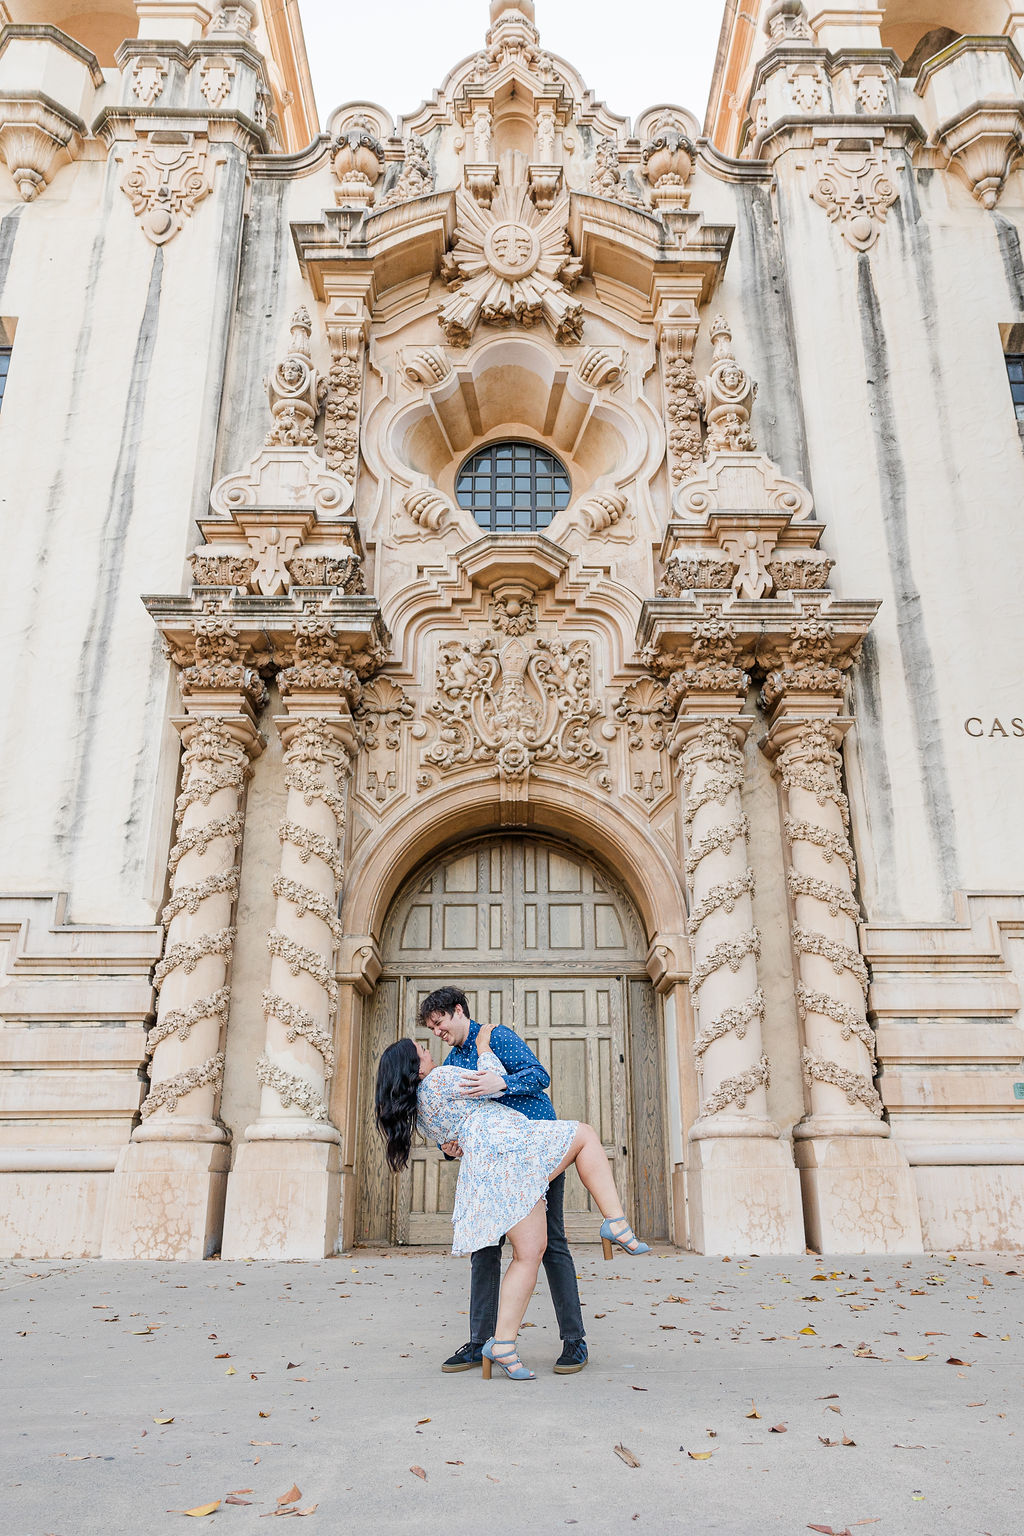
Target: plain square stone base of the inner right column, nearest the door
<point>744,1197</point>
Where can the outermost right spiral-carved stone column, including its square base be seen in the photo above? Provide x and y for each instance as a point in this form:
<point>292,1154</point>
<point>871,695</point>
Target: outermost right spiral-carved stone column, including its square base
<point>859,1191</point>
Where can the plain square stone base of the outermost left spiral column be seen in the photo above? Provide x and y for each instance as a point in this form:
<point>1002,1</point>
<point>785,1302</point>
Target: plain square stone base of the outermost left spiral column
<point>167,1200</point>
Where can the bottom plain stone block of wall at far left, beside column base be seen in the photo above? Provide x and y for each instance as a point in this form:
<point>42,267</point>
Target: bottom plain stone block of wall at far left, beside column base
<point>53,1214</point>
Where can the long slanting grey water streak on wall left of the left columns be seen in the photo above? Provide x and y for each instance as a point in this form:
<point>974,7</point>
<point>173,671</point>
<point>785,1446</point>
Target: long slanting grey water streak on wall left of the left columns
<point>96,654</point>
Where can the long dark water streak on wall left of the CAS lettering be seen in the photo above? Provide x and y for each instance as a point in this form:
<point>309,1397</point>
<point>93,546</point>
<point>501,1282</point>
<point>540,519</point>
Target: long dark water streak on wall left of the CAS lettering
<point>916,654</point>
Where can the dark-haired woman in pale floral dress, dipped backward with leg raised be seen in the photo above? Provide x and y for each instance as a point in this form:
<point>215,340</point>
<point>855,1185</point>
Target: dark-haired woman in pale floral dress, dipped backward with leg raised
<point>506,1170</point>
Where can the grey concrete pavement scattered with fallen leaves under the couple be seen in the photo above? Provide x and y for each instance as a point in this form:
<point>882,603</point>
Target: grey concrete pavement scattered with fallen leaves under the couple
<point>323,1379</point>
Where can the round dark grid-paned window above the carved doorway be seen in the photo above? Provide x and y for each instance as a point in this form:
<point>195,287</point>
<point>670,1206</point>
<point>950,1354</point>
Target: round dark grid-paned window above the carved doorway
<point>514,488</point>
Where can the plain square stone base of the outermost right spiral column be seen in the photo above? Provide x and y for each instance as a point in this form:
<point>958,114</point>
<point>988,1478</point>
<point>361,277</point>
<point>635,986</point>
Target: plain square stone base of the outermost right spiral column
<point>859,1196</point>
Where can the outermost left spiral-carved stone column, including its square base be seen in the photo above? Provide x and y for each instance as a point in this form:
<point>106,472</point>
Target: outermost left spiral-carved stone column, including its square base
<point>173,1176</point>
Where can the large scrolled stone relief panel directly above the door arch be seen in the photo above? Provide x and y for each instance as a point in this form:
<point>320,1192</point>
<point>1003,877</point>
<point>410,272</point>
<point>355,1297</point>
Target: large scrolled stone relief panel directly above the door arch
<point>515,706</point>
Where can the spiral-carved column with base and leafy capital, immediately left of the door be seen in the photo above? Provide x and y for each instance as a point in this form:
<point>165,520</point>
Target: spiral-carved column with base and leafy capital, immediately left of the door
<point>285,1196</point>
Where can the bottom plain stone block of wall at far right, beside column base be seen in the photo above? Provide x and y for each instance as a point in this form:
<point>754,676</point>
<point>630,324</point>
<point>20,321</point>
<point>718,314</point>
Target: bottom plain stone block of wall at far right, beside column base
<point>971,1208</point>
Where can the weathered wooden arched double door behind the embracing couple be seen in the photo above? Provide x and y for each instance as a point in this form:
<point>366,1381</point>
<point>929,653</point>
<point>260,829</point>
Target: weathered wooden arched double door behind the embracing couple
<point>544,941</point>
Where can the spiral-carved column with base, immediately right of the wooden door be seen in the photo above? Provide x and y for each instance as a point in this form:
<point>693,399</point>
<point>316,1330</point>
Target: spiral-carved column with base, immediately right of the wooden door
<point>744,1188</point>
